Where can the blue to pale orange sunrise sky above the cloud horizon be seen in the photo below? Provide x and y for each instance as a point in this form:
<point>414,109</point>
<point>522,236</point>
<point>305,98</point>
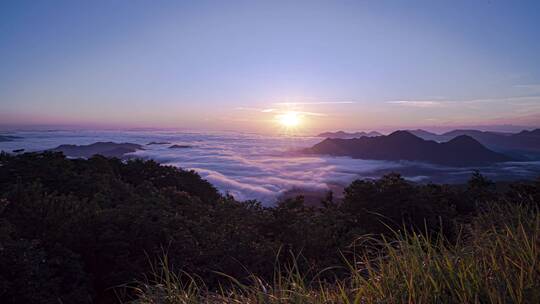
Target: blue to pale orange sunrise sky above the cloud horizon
<point>241,65</point>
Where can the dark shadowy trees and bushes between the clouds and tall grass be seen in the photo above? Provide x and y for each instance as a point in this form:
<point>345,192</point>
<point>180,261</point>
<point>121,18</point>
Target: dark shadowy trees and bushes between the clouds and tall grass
<point>71,230</point>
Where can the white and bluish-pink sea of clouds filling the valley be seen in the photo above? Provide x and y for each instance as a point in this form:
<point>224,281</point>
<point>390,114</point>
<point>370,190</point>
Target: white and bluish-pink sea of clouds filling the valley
<point>252,166</point>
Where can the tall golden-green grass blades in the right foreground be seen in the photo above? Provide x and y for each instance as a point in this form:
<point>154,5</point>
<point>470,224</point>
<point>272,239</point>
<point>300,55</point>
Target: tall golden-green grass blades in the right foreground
<point>494,260</point>
